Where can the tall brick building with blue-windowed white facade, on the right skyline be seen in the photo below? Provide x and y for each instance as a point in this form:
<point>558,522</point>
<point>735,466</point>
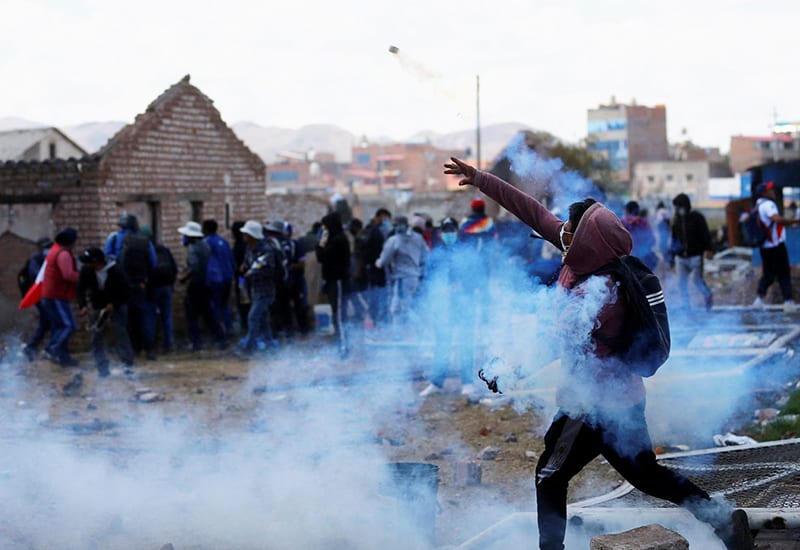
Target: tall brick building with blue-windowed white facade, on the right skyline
<point>624,135</point>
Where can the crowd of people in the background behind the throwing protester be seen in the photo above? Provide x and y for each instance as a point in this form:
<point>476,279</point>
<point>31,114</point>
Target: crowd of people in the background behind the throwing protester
<point>253,291</point>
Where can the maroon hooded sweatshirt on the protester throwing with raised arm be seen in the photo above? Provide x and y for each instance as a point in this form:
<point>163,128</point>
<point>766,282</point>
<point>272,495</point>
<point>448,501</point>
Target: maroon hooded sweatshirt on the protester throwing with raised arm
<point>599,239</point>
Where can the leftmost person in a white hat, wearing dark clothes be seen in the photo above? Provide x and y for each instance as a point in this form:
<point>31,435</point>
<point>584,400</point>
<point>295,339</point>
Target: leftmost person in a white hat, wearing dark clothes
<point>196,302</point>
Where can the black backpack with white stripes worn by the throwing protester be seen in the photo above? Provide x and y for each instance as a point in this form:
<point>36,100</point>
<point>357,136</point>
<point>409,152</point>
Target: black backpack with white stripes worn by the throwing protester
<point>644,342</point>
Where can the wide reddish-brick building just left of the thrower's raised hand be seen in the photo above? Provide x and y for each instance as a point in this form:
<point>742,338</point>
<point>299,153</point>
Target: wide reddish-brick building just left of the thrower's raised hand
<point>413,167</point>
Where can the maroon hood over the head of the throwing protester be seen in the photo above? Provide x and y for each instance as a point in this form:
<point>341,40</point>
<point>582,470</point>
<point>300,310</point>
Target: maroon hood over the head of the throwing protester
<point>599,239</point>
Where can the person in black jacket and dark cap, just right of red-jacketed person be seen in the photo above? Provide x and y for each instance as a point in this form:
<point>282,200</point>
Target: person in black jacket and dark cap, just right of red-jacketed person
<point>103,294</point>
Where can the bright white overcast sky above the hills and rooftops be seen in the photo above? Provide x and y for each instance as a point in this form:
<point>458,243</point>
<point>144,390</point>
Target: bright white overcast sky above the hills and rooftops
<point>721,67</point>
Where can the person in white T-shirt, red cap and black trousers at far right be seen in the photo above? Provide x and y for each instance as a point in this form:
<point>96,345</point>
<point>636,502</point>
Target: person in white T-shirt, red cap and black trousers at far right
<point>775,264</point>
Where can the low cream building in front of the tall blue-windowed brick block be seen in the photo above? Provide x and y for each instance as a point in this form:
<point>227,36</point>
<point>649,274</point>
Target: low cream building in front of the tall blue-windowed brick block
<point>662,180</point>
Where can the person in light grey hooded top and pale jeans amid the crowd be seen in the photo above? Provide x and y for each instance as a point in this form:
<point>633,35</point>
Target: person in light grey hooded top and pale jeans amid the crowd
<point>403,255</point>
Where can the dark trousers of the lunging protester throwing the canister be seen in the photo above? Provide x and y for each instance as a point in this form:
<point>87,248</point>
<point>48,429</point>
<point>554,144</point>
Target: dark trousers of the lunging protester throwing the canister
<point>621,436</point>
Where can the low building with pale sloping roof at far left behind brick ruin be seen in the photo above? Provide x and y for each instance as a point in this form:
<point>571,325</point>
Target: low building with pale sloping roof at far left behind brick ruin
<point>38,145</point>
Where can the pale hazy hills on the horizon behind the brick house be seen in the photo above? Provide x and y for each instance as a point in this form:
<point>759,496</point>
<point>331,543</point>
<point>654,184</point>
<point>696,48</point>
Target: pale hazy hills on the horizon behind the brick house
<point>268,142</point>
